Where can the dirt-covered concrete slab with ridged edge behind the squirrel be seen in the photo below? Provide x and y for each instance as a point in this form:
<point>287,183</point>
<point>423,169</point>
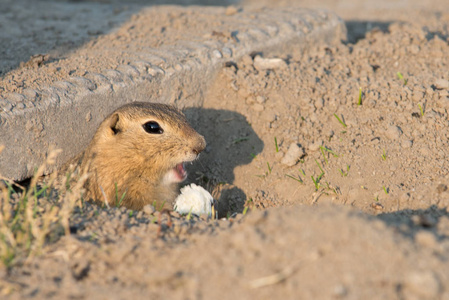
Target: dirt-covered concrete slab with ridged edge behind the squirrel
<point>141,61</point>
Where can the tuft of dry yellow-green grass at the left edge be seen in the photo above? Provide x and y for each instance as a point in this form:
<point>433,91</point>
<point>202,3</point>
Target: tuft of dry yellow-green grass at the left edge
<point>32,216</point>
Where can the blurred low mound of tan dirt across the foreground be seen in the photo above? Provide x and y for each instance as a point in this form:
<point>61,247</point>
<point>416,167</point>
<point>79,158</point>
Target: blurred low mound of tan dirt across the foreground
<point>306,252</point>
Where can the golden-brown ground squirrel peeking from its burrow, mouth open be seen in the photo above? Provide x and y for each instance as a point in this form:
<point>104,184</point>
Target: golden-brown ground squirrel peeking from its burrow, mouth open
<point>139,151</point>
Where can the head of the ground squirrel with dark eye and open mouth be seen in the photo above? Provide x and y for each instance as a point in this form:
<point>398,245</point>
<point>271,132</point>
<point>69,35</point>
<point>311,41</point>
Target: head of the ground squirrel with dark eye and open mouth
<point>155,136</point>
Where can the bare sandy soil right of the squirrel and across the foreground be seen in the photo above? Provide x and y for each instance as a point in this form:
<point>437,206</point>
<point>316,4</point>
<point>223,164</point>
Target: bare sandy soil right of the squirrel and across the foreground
<point>373,225</point>
